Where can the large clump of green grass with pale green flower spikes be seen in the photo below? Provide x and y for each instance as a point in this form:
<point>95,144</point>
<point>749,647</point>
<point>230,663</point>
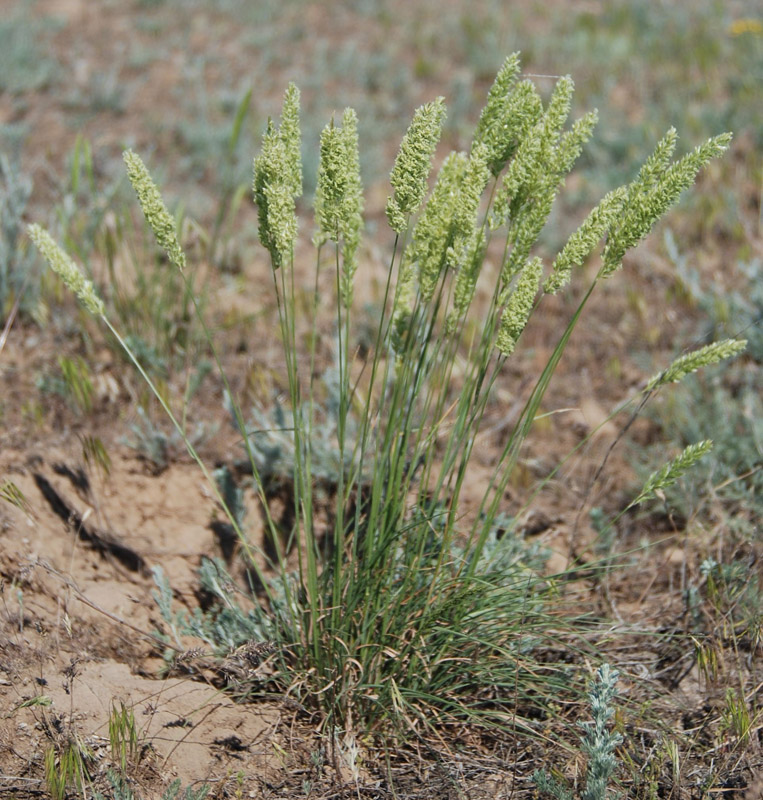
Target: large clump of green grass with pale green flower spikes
<point>401,608</point>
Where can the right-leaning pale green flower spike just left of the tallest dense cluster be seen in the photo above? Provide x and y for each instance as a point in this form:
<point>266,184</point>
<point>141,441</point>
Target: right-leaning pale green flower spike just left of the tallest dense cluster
<point>411,170</point>
